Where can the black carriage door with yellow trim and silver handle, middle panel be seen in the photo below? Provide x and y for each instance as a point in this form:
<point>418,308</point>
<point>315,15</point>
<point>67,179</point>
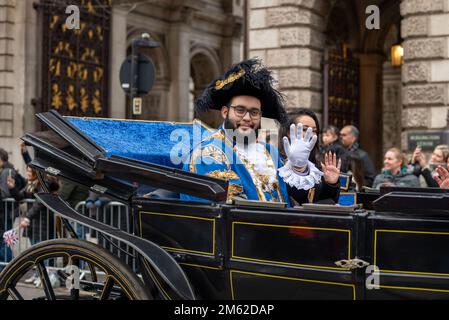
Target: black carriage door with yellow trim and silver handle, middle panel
<point>290,255</point>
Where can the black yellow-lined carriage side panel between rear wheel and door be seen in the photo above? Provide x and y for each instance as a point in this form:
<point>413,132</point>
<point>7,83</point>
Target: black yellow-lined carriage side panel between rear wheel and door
<point>194,234</point>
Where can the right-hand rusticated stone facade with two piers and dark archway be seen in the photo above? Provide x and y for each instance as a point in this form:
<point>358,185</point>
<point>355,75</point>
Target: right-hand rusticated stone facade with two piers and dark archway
<point>292,36</point>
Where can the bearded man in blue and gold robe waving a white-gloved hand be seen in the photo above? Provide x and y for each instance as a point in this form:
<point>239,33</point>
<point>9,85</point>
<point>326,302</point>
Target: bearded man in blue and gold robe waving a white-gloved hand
<point>235,153</point>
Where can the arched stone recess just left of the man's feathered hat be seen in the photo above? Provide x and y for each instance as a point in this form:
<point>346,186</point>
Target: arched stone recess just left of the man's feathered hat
<point>205,66</point>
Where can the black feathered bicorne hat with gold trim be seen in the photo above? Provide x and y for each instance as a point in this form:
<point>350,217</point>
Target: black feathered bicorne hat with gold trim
<point>248,78</point>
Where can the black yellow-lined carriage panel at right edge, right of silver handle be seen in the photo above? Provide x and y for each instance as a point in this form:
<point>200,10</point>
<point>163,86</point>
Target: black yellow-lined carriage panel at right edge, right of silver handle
<point>412,255</point>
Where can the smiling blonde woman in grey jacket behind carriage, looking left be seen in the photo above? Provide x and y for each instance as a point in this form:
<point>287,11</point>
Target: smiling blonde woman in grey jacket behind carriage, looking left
<point>395,172</point>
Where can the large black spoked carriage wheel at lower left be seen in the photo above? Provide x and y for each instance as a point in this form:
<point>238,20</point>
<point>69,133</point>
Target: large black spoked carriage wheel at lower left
<point>105,276</point>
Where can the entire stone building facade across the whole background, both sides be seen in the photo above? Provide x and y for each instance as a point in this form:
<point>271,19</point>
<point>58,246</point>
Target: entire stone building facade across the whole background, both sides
<point>201,38</point>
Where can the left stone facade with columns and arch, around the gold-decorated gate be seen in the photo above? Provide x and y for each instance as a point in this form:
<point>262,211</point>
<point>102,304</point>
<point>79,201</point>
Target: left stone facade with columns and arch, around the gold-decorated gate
<point>199,40</point>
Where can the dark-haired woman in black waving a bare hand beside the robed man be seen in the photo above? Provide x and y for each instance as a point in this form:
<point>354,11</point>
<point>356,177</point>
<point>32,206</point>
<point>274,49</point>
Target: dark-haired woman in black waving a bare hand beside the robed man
<point>327,190</point>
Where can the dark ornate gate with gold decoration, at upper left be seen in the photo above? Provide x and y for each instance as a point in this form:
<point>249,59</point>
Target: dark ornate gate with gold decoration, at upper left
<point>76,61</point>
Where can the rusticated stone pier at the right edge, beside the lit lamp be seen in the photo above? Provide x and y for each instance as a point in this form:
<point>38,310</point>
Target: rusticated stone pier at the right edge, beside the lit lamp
<point>425,77</point>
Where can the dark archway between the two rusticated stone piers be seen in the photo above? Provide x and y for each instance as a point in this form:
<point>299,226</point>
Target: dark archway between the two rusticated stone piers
<point>358,77</point>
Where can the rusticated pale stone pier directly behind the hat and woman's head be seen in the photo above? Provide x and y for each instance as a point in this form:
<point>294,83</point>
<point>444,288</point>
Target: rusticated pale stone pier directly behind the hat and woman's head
<point>288,36</point>
